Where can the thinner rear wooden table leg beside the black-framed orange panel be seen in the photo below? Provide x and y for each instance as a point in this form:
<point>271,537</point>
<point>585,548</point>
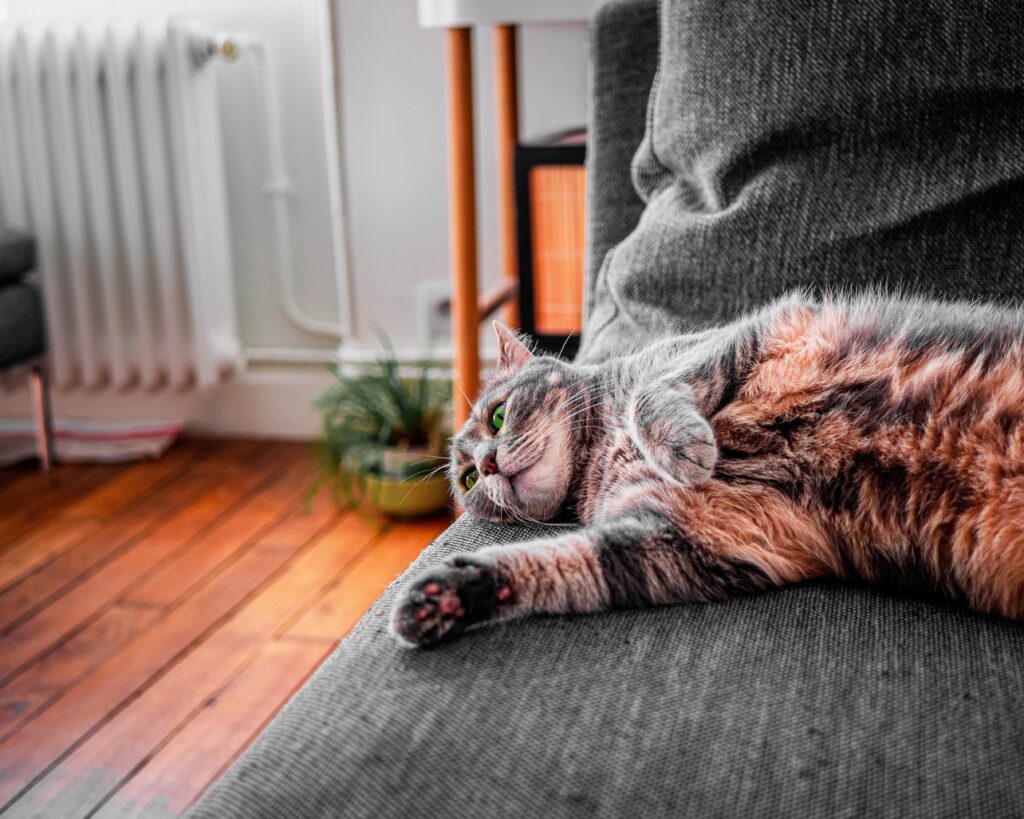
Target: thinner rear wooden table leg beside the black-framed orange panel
<point>507,112</point>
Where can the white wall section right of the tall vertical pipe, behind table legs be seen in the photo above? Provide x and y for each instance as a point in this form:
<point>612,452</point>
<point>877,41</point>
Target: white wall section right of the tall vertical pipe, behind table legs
<point>393,103</point>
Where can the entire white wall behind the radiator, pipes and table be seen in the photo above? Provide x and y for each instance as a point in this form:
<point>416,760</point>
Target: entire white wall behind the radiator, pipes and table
<point>394,181</point>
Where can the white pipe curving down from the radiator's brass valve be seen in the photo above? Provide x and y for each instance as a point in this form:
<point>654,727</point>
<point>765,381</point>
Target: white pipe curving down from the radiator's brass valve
<point>278,187</point>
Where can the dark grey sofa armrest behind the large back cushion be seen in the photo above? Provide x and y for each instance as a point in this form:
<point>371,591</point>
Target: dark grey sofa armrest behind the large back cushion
<point>624,42</point>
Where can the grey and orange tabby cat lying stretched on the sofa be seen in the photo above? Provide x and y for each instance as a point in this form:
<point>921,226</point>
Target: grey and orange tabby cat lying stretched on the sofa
<point>849,438</point>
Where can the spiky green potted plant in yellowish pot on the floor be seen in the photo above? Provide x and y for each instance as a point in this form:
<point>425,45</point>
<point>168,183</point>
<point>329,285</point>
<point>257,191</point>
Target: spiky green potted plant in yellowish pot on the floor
<point>386,426</point>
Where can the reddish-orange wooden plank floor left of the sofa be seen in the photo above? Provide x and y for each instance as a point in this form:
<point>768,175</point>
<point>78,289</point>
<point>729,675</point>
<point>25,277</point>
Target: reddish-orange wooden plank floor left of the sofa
<point>155,617</point>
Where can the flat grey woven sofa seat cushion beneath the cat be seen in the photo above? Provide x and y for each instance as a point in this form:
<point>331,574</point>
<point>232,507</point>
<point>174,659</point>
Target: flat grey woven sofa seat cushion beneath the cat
<point>824,701</point>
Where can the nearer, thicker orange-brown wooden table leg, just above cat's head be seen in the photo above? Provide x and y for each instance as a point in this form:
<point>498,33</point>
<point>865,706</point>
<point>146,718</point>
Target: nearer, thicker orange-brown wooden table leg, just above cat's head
<point>462,215</point>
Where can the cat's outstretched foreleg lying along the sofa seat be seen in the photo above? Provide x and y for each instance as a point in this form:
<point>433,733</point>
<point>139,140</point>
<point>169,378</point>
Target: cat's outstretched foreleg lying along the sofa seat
<point>641,558</point>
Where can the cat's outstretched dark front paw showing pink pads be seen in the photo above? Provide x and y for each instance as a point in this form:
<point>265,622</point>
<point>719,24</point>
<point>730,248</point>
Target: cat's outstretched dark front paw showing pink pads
<point>445,600</point>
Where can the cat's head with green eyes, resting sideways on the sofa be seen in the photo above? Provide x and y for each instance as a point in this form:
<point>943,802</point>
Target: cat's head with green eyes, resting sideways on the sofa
<point>515,459</point>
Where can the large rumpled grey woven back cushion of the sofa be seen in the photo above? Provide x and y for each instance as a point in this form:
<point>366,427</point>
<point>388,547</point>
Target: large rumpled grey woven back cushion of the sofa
<point>821,143</point>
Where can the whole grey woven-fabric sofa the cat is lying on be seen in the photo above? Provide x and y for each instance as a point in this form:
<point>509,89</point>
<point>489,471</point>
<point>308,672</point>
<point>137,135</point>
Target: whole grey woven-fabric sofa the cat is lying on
<point>821,701</point>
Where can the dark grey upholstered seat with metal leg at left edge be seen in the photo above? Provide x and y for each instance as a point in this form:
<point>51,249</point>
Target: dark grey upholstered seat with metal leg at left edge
<point>23,332</point>
